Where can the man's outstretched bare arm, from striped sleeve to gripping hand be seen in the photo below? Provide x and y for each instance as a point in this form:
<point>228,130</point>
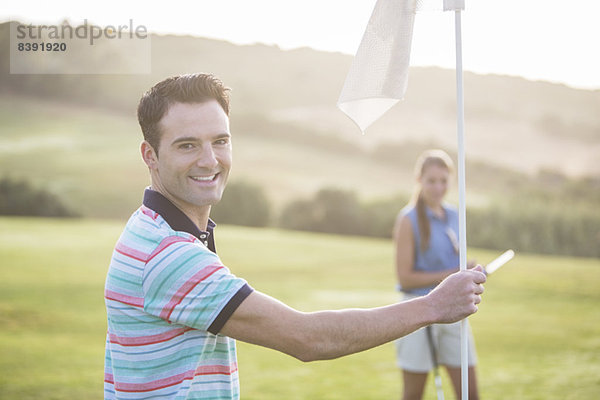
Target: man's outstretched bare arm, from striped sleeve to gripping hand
<point>267,322</point>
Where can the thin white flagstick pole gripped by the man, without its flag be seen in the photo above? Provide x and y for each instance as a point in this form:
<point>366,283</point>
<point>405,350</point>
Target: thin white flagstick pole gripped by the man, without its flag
<point>457,6</point>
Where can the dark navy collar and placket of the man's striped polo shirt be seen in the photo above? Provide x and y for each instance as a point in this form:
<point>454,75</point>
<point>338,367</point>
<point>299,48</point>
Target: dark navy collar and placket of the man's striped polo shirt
<point>177,219</point>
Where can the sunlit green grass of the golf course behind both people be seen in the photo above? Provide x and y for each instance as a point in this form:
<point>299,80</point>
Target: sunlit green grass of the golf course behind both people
<point>537,332</point>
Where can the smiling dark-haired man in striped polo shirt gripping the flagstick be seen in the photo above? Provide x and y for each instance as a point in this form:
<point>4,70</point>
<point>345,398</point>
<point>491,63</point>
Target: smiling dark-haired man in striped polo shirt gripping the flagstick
<point>174,310</point>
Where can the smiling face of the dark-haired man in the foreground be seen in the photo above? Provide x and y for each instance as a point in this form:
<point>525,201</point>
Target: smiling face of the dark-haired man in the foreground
<point>194,156</point>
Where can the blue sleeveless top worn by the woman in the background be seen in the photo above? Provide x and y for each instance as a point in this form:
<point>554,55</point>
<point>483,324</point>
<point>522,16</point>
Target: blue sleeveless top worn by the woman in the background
<point>442,253</point>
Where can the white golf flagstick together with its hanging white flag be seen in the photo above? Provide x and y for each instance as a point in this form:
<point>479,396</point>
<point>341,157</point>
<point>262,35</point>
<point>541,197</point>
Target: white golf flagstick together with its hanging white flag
<point>377,80</point>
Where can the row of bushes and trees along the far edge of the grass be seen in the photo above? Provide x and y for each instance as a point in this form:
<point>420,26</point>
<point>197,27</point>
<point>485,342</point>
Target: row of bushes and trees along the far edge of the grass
<point>565,222</point>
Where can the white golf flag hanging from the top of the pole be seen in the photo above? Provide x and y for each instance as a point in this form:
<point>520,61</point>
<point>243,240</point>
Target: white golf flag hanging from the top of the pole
<point>378,77</point>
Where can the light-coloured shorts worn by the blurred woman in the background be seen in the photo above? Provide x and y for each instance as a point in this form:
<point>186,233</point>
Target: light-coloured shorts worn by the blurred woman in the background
<point>414,354</point>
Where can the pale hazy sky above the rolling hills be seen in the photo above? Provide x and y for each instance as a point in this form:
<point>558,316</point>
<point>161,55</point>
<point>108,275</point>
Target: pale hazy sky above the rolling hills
<point>551,40</point>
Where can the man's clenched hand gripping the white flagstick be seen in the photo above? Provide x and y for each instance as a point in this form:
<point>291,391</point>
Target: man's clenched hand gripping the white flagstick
<point>458,295</point>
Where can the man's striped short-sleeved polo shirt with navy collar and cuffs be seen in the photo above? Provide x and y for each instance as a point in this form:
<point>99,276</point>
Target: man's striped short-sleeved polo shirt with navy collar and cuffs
<point>167,296</point>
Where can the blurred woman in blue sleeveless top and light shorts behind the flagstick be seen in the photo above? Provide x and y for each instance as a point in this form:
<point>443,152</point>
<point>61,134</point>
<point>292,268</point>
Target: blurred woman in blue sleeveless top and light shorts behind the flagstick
<point>426,240</point>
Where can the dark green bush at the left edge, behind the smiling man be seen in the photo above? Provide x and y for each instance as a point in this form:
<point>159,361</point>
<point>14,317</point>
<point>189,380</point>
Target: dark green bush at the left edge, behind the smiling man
<point>21,198</point>
